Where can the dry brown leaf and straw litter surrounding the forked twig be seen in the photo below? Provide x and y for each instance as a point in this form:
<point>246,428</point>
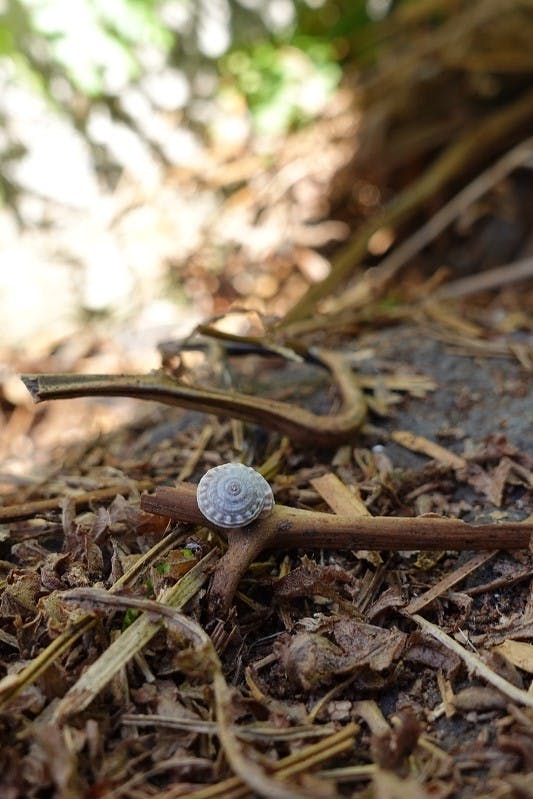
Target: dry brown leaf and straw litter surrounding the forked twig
<point>318,640</point>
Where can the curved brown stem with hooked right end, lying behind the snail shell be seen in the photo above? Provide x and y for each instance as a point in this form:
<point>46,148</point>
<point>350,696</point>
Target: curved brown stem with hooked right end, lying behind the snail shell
<point>298,423</point>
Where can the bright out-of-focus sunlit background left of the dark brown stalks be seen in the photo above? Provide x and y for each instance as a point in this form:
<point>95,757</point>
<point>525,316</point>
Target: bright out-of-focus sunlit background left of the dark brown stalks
<point>156,168</point>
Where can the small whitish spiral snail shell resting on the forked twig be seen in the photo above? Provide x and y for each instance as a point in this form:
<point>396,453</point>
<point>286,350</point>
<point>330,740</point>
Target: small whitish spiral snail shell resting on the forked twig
<point>233,495</point>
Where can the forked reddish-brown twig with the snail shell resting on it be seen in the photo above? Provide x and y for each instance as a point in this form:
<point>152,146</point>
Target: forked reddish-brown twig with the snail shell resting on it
<point>291,527</point>
